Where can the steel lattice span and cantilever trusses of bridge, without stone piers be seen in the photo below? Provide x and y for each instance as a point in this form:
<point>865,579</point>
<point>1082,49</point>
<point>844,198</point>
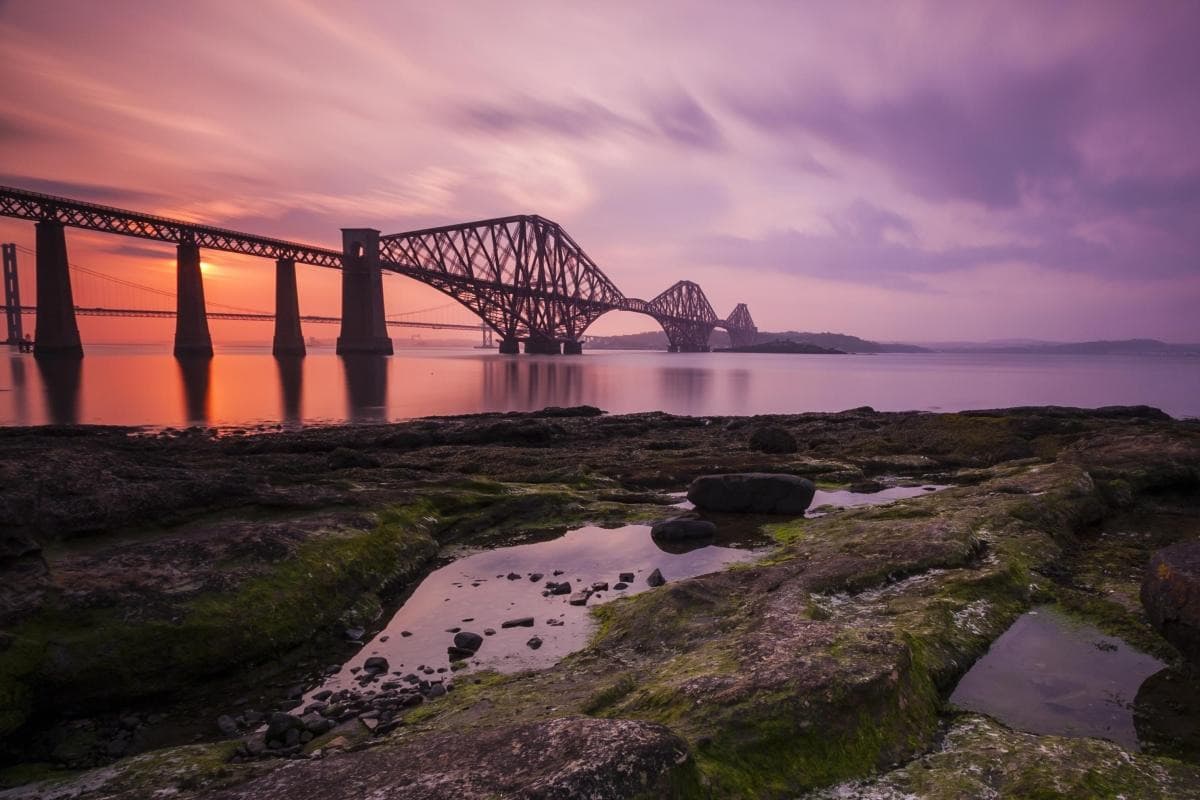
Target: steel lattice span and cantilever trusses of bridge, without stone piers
<point>523,275</point>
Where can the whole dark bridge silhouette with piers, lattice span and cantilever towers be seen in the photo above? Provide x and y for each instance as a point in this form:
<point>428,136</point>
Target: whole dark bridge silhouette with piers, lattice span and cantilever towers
<point>524,276</point>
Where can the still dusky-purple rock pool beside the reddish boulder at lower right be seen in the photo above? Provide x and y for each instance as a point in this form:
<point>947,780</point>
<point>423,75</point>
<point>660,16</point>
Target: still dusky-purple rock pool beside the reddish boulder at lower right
<point>1052,675</point>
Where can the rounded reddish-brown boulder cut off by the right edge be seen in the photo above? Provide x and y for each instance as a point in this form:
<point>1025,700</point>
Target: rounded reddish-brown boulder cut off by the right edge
<point>1171,592</point>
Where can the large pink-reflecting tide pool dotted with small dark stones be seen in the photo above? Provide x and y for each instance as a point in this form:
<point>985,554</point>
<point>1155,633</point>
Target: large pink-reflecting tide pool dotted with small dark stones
<point>476,594</point>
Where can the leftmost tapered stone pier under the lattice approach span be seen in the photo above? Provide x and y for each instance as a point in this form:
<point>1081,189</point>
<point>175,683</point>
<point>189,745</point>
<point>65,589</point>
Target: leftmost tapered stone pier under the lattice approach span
<point>57,333</point>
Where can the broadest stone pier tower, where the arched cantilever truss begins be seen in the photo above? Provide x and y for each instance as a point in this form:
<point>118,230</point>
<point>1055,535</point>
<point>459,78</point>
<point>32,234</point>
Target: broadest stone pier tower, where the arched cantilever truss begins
<point>364,327</point>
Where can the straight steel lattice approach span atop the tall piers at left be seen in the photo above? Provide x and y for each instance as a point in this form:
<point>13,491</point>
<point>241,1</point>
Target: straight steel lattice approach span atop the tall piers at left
<point>47,208</point>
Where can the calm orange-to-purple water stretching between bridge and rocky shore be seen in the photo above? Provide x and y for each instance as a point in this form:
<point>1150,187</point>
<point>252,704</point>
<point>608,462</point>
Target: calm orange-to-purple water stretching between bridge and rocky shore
<point>128,386</point>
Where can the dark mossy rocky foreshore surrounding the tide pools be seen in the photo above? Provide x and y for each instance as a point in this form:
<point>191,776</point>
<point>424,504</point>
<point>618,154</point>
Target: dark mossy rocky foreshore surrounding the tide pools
<point>169,601</point>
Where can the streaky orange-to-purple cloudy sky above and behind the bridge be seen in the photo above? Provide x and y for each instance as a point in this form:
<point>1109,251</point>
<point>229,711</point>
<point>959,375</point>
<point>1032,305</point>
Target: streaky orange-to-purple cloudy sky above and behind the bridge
<point>899,171</point>
